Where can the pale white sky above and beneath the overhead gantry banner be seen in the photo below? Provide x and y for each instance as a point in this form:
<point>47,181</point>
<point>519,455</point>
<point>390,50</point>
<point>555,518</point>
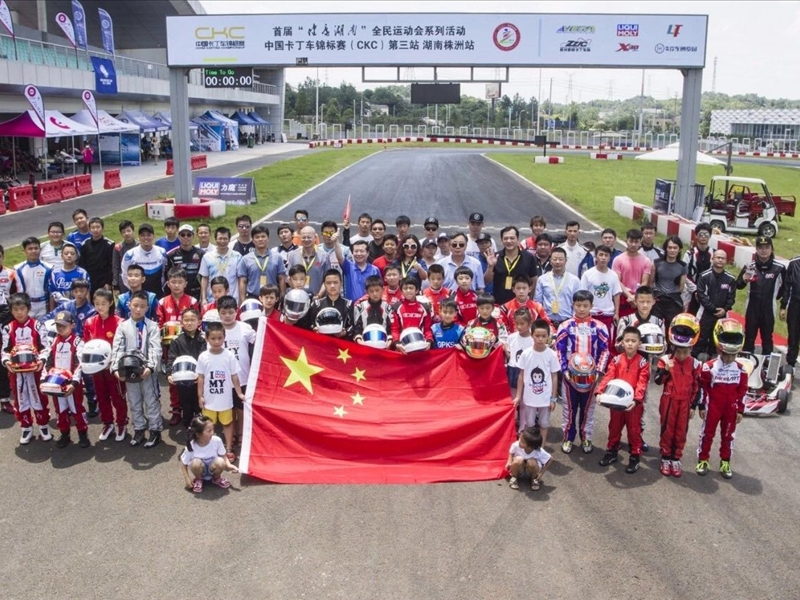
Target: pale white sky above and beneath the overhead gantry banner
<point>757,45</point>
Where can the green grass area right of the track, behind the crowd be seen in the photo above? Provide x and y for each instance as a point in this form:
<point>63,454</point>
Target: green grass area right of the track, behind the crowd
<point>590,186</point>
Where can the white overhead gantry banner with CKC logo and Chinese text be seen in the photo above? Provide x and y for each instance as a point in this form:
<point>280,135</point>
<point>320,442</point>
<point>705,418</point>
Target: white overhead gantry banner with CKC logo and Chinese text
<point>472,39</point>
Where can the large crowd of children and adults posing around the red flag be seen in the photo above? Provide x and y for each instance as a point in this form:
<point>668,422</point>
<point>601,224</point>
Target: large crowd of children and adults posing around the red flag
<point>571,318</point>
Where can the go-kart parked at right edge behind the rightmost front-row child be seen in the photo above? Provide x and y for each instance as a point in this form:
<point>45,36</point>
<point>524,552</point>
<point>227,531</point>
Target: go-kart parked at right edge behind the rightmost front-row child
<point>769,384</point>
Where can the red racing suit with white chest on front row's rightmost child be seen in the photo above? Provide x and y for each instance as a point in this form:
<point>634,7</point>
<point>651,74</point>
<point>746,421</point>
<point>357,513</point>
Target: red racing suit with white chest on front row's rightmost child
<point>724,387</point>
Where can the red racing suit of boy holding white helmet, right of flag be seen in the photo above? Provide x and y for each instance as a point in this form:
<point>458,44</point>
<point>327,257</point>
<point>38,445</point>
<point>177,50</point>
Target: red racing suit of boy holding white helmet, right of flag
<point>635,371</point>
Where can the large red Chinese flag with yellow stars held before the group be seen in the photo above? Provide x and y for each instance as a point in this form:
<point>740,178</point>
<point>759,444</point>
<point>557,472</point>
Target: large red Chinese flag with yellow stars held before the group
<point>325,410</point>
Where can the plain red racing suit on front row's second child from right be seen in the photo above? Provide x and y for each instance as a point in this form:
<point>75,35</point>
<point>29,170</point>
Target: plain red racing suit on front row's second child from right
<point>680,395</point>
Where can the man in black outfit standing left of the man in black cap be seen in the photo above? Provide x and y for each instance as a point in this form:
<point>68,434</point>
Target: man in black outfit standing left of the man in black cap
<point>716,291</point>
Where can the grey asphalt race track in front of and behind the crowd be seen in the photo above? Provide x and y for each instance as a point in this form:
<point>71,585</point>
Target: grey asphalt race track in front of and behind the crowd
<point>115,521</point>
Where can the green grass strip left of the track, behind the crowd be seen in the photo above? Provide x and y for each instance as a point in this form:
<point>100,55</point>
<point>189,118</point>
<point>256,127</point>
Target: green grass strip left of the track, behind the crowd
<point>276,184</point>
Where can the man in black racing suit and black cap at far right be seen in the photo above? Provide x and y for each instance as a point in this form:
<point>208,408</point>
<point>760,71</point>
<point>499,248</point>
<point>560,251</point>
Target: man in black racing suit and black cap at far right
<point>765,277</point>
